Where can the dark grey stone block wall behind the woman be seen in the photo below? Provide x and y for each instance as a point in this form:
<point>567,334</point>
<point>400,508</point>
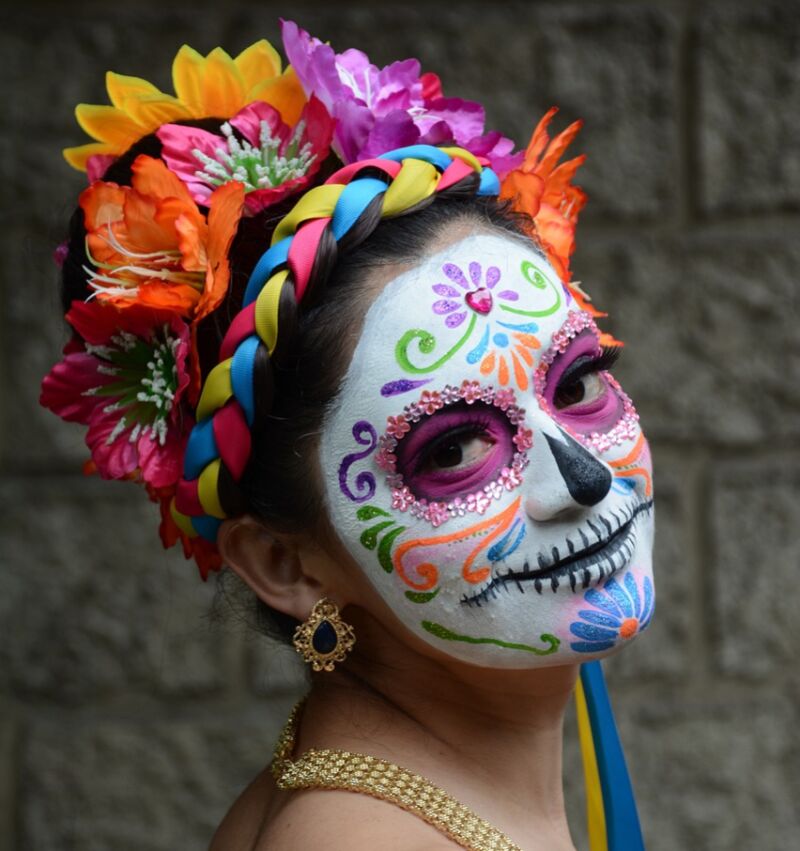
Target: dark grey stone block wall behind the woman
<point>129,720</point>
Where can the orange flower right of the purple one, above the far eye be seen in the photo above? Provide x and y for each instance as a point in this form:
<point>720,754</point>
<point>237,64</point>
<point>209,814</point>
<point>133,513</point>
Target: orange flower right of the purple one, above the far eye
<point>543,189</point>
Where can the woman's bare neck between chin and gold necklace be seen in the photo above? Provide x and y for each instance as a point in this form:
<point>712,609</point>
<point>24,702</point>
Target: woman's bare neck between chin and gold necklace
<point>471,730</point>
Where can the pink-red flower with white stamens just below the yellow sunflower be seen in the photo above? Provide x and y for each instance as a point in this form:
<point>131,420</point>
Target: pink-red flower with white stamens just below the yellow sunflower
<point>270,158</point>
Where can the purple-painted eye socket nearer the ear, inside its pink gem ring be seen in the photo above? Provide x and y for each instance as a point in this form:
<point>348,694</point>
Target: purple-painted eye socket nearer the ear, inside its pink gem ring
<point>455,451</point>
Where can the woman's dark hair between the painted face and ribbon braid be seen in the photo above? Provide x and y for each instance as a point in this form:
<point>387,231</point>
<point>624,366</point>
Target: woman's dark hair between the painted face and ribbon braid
<point>300,381</point>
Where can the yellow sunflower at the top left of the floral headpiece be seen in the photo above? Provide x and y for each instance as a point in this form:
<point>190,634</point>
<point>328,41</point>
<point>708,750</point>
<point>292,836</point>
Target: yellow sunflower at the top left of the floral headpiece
<point>213,86</point>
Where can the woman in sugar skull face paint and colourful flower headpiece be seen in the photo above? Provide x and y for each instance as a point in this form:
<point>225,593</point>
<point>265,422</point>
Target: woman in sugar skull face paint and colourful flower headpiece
<point>348,362</point>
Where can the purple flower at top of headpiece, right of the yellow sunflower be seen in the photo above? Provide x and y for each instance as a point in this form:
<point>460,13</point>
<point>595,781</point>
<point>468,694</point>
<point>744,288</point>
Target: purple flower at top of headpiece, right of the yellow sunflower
<point>379,109</point>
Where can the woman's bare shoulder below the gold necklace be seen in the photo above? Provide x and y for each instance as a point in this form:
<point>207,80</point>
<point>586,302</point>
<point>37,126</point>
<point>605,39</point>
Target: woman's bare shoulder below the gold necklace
<point>345,821</point>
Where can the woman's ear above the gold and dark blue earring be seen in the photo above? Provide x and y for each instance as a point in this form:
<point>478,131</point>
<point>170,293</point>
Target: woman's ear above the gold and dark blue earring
<point>272,565</point>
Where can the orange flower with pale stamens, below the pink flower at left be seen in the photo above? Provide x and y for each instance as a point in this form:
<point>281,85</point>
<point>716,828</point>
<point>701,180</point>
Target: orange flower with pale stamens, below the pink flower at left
<point>148,243</point>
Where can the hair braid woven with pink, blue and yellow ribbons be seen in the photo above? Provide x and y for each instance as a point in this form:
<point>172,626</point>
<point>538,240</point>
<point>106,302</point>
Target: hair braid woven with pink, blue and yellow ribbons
<point>239,392</point>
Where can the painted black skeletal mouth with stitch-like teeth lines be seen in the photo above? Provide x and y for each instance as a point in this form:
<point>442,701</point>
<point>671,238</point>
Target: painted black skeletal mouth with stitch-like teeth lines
<point>581,568</point>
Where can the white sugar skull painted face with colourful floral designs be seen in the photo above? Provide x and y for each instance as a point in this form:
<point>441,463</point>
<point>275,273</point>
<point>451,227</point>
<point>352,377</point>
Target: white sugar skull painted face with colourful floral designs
<point>486,471</point>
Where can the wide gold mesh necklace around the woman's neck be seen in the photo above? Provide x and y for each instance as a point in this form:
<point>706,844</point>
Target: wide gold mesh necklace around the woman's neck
<point>354,772</point>
